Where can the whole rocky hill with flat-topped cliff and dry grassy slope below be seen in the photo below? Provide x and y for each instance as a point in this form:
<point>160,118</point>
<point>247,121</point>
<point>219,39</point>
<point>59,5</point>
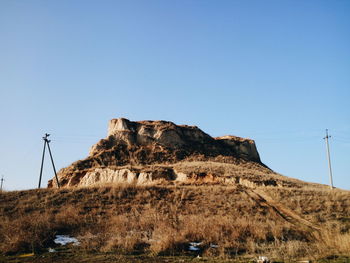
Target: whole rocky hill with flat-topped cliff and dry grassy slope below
<point>156,188</point>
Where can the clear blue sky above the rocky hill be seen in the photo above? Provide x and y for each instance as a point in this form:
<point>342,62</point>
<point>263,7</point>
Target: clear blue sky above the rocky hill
<point>274,71</point>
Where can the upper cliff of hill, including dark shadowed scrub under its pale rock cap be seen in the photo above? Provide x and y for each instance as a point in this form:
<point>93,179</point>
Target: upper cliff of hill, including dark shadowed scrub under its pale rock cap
<point>159,139</point>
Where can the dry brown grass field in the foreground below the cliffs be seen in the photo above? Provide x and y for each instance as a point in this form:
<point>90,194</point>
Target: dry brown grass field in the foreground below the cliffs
<point>227,222</point>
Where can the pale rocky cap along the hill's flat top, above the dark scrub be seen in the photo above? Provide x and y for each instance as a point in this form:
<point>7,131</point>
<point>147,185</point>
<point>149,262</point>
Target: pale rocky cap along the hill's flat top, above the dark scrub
<point>173,137</point>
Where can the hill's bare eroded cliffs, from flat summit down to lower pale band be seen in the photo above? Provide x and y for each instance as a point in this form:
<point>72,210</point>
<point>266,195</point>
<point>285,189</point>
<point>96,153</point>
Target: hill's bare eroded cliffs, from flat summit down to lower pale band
<point>148,151</point>
